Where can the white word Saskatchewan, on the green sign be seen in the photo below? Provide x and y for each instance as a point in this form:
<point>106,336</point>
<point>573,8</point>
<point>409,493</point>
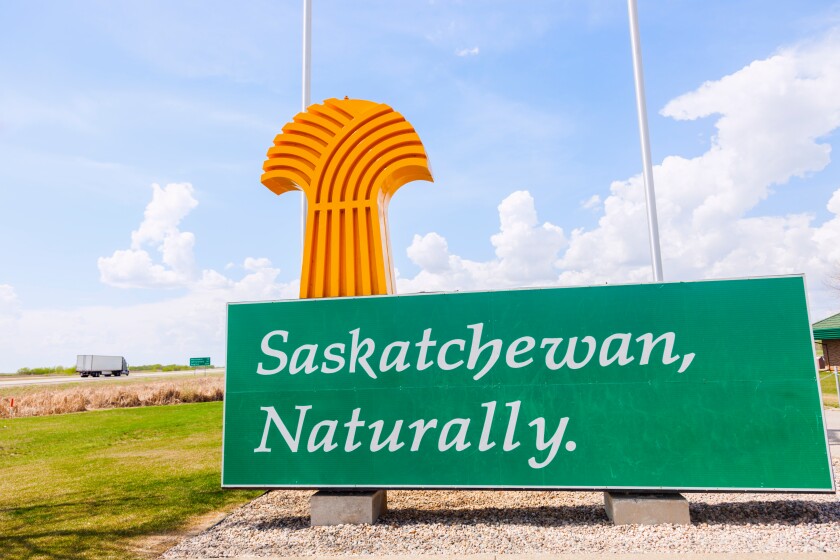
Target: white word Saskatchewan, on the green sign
<point>475,354</point>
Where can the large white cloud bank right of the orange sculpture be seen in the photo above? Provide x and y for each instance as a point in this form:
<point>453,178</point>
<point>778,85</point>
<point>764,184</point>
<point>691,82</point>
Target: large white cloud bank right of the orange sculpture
<point>772,117</point>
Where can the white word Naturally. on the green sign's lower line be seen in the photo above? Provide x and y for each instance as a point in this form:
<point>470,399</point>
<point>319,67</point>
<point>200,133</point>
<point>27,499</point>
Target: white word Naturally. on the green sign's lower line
<point>452,434</point>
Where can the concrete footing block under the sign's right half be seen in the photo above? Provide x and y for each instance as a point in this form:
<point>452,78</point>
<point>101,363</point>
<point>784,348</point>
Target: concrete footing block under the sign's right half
<point>646,509</point>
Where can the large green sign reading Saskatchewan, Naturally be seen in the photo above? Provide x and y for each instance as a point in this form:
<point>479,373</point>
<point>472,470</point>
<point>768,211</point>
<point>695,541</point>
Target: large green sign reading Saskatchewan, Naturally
<point>700,385</point>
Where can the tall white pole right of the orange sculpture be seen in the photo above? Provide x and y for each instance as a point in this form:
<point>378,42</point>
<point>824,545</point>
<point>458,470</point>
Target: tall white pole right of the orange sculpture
<point>650,196</point>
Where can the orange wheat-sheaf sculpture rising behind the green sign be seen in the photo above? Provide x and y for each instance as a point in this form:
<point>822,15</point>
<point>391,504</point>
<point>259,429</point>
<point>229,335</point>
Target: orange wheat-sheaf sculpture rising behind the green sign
<point>348,157</point>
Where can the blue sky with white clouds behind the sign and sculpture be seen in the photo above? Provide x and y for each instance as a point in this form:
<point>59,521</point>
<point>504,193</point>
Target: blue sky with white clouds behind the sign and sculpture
<point>526,110</point>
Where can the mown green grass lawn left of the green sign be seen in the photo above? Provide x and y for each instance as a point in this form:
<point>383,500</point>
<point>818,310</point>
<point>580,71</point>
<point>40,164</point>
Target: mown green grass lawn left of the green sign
<point>88,485</point>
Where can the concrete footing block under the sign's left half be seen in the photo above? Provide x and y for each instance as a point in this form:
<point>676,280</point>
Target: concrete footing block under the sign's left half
<point>355,508</point>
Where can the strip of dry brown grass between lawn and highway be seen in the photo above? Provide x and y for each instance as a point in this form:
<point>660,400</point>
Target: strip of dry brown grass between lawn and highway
<point>95,396</point>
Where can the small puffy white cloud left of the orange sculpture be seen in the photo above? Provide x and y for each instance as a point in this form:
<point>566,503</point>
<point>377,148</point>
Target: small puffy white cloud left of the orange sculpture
<point>134,267</point>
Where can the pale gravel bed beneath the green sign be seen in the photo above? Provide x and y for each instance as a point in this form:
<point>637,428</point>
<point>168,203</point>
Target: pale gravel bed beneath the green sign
<point>472,522</point>
